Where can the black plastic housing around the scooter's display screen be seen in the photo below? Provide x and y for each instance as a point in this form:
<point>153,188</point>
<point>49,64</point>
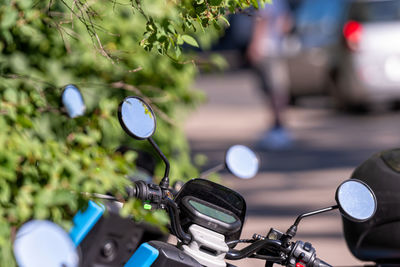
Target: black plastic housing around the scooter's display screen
<point>217,195</point>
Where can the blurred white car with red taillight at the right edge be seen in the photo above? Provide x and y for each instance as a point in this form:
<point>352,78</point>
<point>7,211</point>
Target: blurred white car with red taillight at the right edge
<point>369,69</point>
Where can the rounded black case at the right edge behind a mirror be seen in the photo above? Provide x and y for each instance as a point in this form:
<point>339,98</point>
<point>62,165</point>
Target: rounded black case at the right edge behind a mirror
<point>378,239</point>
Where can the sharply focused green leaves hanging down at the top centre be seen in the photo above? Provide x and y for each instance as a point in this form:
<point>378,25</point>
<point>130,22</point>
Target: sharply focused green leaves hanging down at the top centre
<point>165,30</point>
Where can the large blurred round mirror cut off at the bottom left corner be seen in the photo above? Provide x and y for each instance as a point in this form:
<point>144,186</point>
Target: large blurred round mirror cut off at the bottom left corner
<point>44,244</point>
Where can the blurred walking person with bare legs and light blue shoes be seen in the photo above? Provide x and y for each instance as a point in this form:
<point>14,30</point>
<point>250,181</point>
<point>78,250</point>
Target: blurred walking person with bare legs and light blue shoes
<point>265,56</point>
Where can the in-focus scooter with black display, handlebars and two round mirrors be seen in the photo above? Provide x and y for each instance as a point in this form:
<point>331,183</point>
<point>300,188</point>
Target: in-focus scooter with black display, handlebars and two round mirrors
<point>207,218</point>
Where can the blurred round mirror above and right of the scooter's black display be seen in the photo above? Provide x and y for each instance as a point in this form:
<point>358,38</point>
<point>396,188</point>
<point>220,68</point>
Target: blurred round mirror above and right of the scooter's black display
<point>241,161</point>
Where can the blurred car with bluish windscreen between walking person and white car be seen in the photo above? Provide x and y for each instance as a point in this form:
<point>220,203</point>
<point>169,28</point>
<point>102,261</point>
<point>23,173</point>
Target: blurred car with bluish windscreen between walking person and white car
<point>310,47</point>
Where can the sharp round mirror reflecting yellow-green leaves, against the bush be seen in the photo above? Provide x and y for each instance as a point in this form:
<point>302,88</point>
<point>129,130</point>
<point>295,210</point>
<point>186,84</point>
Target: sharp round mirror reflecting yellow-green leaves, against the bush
<point>137,118</point>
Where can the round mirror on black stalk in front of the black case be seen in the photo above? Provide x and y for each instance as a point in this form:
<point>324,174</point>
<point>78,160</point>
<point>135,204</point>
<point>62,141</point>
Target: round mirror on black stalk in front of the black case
<point>356,200</point>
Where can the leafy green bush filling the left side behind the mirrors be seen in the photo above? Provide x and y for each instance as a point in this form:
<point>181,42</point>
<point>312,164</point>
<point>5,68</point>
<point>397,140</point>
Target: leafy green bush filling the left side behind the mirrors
<point>47,159</point>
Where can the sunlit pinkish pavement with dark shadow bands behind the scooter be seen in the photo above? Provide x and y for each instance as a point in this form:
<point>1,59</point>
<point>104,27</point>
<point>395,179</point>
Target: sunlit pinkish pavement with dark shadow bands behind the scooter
<point>328,146</point>
